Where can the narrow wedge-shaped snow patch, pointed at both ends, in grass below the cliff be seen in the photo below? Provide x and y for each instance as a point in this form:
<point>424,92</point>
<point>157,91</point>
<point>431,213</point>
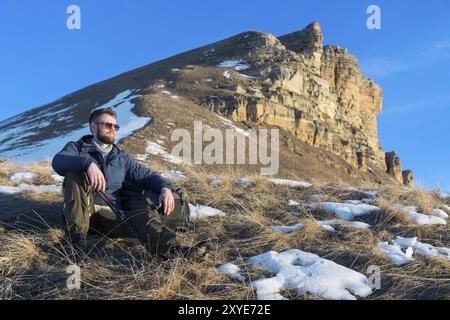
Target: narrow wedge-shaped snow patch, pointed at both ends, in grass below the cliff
<point>345,211</point>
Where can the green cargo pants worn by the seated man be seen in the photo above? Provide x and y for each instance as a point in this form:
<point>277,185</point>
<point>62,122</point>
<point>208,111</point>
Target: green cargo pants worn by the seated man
<point>156,230</point>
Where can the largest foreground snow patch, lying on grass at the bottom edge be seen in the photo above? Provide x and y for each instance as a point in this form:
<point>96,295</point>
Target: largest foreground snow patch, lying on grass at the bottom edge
<point>307,272</point>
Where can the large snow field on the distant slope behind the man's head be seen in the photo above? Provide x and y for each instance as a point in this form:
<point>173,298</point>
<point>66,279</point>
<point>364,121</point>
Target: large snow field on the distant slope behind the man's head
<point>46,149</point>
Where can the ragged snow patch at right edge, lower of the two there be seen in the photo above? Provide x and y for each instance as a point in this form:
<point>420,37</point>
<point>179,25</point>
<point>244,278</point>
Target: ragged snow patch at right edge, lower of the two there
<point>412,246</point>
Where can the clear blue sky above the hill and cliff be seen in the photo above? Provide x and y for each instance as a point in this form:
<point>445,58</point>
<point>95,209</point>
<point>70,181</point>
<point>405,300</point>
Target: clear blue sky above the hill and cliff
<point>41,60</point>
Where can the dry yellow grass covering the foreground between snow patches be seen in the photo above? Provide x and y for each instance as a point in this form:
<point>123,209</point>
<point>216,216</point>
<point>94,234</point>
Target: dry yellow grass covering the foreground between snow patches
<point>33,261</point>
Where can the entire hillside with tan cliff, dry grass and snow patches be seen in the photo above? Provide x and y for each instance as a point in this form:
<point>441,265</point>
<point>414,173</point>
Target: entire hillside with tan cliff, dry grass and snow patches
<point>338,212</point>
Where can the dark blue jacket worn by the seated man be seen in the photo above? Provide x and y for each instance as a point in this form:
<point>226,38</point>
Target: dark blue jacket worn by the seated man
<point>120,170</point>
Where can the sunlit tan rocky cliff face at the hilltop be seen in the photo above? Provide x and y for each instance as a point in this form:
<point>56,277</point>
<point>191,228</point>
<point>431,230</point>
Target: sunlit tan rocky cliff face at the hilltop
<point>317,93</point>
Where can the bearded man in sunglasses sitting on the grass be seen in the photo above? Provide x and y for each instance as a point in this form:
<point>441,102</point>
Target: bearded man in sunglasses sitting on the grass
<point>95,164</point>
